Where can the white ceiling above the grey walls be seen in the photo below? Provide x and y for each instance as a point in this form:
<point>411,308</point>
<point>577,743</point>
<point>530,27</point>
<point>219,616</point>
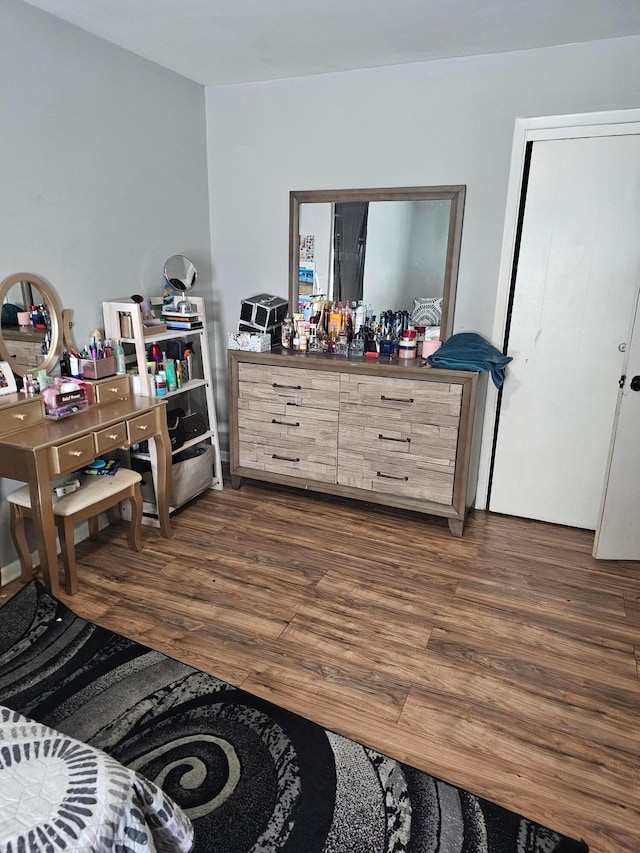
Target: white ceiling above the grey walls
<point>237,41</point>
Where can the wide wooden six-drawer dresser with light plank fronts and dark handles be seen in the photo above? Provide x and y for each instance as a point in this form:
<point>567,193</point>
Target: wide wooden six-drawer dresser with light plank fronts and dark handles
<point>384,432</point>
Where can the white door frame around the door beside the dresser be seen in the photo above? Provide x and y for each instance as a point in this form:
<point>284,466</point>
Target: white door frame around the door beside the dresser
<point>526,130</point>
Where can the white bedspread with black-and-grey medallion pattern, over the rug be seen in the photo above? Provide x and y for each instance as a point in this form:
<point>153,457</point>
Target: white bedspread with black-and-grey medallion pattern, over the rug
<point>57,793</point>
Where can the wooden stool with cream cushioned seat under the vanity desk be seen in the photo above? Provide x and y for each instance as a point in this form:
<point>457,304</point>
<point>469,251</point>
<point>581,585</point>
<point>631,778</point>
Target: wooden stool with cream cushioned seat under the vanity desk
<point>95,495</point>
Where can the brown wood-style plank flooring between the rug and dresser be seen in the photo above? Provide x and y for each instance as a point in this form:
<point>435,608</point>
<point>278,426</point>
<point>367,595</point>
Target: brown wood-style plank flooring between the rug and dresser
<point>505,662</point>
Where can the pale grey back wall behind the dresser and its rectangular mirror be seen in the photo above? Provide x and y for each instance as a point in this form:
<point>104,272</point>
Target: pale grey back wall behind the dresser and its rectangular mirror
<point>444,122</point>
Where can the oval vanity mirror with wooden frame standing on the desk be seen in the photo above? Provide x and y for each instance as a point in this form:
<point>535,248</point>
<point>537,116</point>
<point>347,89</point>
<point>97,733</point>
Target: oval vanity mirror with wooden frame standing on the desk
<point>29,340</point>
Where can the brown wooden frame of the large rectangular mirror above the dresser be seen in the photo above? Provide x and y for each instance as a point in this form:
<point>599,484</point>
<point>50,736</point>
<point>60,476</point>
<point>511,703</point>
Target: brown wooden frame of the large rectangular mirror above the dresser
<point>455,193</point>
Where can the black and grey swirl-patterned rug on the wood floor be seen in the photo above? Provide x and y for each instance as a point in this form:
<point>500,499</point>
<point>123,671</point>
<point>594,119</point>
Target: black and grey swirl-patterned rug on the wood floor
<point>251,776</point>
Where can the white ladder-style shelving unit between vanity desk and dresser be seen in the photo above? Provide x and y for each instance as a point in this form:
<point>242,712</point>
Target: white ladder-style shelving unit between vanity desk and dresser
<point>195,395</point>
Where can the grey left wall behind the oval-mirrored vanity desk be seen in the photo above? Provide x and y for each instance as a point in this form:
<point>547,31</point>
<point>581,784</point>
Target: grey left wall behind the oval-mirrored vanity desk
<point>103,170</point>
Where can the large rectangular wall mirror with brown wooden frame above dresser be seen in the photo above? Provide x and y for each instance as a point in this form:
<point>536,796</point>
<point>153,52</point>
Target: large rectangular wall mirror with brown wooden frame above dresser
<point>385,246</point>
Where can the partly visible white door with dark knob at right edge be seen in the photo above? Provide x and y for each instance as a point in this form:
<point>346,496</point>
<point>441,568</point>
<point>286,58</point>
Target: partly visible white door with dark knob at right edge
<point>618,532</point>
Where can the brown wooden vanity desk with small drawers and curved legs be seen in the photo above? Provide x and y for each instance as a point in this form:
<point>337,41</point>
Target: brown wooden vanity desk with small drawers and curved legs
<point>35,449</point>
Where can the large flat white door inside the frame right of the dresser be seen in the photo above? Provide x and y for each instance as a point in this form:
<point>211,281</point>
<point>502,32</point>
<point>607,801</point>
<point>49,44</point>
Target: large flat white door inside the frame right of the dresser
<point>575,290</point>
